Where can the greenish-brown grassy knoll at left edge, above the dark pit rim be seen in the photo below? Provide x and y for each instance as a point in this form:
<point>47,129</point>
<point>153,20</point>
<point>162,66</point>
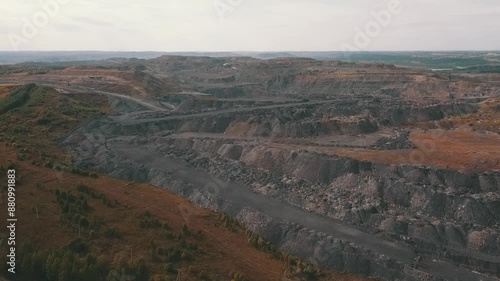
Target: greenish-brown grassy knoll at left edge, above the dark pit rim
<point>45,116</point>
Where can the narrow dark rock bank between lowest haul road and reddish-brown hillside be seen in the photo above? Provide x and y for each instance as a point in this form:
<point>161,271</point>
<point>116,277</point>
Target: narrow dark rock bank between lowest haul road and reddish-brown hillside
<point>308,244</point>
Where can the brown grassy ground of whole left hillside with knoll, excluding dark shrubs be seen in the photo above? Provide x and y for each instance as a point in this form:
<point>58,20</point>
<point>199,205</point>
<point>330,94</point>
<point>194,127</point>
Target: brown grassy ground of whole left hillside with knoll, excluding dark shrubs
<point>27,144</point>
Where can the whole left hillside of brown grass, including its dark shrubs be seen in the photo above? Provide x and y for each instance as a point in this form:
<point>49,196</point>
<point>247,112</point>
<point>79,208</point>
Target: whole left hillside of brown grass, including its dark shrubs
<point>79,225</point>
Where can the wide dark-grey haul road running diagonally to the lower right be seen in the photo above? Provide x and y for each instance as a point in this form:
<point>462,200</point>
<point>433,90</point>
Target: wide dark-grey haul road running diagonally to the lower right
<point>241,197</point>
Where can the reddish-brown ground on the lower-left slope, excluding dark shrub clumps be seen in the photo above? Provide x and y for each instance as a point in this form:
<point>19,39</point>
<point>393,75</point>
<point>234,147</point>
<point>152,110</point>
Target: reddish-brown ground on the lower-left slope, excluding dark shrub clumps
<point>224,250</point>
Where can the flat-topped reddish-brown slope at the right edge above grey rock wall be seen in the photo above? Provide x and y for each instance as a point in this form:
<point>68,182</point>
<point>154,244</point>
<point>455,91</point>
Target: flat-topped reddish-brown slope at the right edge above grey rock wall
<point>466,142</point>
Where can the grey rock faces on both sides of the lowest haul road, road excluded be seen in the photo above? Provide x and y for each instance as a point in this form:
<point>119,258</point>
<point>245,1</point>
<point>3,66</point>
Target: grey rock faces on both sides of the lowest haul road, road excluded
<point>445,214</point>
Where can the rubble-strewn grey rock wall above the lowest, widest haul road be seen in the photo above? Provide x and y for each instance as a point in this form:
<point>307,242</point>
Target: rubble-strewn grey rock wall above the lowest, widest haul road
<point>455,211</point>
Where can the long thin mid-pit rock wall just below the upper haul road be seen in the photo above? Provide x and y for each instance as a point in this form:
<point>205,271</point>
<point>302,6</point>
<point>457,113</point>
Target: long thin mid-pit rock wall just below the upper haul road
<point>350,118</point>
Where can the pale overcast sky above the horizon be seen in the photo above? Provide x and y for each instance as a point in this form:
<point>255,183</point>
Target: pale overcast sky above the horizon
<point>247,25</point>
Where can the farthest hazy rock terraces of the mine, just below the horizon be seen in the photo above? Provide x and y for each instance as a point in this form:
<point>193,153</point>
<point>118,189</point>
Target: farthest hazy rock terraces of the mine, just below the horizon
<point>308,77</point>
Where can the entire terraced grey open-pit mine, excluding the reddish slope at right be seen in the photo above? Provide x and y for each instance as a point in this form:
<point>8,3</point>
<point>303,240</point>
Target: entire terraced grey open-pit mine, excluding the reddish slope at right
<point>363,217</point>
